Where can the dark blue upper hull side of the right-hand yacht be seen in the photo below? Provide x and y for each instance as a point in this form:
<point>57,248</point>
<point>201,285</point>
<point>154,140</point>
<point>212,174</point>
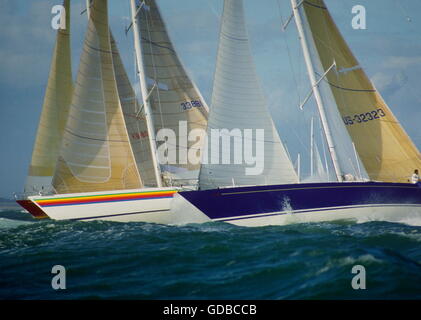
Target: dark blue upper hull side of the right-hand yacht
<point>238,202</point>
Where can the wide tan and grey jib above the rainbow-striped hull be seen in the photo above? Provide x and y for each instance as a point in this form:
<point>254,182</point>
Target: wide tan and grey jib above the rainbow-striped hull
<point>96,154</point>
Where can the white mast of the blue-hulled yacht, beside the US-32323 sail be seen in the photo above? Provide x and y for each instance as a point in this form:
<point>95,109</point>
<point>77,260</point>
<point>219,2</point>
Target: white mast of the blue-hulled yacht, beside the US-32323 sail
<point>315,88</point>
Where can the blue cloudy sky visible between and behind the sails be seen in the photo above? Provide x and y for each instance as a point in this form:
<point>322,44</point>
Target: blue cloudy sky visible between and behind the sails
<point>389,50</point>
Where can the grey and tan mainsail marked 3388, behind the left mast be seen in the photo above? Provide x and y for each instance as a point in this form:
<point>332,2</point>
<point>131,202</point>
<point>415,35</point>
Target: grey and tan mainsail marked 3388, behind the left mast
<point>176,103</point>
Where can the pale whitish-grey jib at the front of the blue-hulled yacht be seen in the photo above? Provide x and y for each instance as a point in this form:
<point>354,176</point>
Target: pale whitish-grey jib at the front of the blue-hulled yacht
<point>237,105</point>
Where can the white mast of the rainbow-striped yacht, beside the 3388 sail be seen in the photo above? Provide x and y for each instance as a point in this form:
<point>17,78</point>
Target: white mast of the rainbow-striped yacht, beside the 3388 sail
<point>145,94</point>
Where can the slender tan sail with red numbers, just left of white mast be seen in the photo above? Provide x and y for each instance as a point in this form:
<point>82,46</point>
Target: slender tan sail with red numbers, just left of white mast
<point>135,120</point>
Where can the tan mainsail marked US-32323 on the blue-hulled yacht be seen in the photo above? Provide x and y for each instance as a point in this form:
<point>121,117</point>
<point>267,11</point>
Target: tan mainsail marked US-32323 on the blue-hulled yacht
<point>386,151</point>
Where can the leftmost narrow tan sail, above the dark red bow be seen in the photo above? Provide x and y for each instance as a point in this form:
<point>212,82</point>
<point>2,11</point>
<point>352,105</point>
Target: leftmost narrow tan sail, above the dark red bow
<point>54,113</point>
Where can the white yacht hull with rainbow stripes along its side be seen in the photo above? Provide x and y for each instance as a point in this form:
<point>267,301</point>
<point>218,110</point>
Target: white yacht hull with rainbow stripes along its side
<point>144,205</point>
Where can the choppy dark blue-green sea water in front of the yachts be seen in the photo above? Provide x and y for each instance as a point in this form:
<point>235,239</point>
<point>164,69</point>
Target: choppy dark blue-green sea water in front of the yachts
<point>106,260</point>
